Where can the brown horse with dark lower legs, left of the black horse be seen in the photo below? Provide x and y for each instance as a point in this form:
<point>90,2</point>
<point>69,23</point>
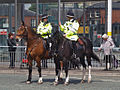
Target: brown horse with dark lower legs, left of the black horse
<point>36,49</point>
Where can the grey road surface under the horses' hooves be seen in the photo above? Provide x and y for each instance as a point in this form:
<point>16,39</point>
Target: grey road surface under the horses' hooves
<point>16,81</point>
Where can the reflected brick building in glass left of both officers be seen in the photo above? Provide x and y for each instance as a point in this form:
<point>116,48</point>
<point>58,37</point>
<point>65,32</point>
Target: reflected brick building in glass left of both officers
<point>29,18</point>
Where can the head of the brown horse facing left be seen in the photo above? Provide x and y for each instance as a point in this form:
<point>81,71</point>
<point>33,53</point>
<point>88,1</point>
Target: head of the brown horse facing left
<point>21,32</point>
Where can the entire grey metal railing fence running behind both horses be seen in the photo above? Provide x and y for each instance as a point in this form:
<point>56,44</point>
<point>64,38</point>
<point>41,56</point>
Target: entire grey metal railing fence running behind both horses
<point>21,58</point>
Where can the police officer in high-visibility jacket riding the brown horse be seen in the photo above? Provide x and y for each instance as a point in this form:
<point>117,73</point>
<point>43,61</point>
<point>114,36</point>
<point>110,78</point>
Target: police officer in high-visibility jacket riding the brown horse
<point>45,30</point>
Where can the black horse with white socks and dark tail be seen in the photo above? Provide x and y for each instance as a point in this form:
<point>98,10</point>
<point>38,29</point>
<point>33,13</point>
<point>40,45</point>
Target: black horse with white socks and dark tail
<point>65,53</point>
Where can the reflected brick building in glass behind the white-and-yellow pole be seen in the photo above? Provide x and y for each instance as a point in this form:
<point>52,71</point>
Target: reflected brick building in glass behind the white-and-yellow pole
<point>96,19</point>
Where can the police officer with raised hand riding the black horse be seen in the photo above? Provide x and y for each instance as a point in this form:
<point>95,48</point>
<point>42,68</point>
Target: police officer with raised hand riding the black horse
<point>70,29</point>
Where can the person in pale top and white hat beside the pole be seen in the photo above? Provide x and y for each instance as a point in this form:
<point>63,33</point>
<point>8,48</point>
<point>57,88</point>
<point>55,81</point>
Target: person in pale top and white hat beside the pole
<point>107,45</point>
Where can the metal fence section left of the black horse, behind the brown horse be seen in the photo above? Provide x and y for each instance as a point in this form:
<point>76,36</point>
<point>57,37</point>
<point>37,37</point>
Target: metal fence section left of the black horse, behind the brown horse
<point>19,58</point>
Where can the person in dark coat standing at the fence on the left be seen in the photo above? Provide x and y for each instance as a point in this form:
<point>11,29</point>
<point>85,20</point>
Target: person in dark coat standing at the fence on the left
<point>11,43</point>
